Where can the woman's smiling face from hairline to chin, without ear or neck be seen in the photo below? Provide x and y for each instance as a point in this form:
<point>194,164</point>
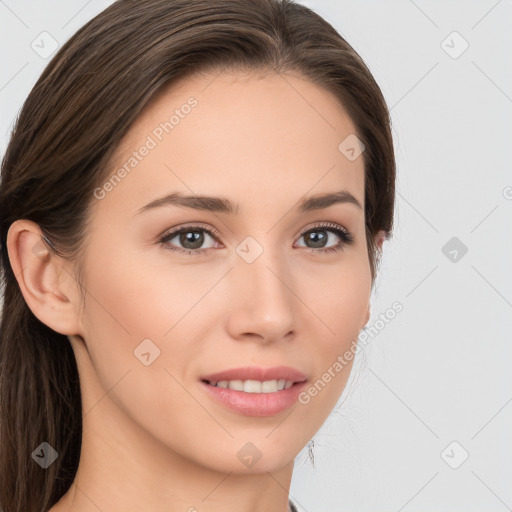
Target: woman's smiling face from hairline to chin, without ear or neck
<point>259,290</point>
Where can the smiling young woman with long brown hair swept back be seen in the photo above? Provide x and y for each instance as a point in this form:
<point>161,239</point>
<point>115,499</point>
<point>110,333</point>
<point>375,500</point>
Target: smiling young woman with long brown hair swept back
<point>193,205</point>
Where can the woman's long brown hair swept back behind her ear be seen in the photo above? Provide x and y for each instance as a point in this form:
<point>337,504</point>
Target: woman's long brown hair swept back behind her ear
<point>59,152</point>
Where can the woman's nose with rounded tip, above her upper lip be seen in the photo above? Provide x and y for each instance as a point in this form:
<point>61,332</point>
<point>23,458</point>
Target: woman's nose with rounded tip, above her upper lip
<point>263,304</point>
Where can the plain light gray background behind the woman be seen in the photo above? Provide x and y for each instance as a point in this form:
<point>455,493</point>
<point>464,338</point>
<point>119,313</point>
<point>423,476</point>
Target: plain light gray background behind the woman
<point>440,370</point>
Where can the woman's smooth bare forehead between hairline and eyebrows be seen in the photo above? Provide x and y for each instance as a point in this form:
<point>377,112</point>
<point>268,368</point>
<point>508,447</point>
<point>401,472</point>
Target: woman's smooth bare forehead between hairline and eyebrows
<point>266,137</point>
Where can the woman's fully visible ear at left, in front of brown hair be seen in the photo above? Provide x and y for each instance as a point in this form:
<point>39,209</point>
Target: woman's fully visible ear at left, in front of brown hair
<point>47,285</point>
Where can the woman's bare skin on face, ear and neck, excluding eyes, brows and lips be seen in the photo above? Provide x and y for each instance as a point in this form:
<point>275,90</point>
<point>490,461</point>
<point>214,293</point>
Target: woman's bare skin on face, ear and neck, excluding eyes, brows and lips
<point>152,438</point>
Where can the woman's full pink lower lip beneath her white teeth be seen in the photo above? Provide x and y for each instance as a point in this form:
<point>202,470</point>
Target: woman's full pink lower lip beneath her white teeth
<point>256,404</point>
